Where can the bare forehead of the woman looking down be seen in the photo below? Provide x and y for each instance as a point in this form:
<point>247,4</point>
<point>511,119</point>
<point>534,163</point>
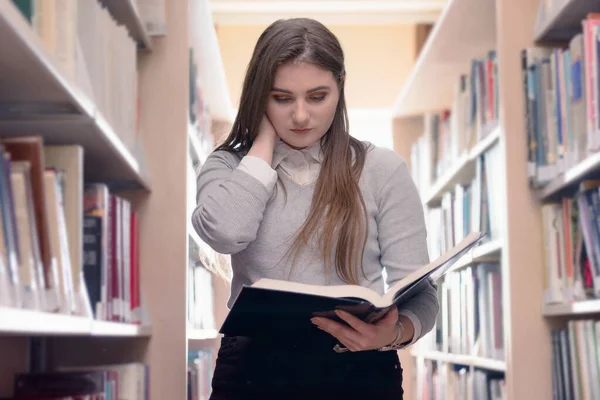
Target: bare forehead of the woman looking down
<point>302,76</point>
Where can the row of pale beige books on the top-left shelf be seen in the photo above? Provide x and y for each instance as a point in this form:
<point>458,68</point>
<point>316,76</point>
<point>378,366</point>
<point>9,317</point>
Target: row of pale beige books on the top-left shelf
<point>93,53</point>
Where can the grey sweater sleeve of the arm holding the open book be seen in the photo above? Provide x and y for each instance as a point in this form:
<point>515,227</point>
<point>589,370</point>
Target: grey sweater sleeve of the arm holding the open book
<point>403,245</point>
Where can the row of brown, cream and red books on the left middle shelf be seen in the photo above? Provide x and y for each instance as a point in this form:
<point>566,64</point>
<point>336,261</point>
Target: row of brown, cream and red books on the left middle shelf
<point>64,247</point>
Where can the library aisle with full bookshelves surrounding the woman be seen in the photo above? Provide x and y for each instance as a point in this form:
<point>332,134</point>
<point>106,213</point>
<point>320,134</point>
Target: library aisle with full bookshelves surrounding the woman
<point>109,108</point>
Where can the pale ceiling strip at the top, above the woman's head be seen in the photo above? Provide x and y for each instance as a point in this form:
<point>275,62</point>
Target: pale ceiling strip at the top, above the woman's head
<point>343,12</point>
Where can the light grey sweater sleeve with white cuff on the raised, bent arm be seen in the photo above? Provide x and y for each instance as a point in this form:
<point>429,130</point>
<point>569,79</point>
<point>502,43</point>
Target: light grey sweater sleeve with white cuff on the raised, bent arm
<point>231,201</point>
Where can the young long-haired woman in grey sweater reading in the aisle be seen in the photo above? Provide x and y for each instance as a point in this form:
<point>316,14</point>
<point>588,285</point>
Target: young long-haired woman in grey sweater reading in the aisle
<point>291,195</point>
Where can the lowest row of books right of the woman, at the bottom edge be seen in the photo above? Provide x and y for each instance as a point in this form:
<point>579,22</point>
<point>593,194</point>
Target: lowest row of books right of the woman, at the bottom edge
<point>444,381</point>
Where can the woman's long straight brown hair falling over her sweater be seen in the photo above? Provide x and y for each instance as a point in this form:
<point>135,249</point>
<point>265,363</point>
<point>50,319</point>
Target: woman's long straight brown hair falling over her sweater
<point>337,218</point>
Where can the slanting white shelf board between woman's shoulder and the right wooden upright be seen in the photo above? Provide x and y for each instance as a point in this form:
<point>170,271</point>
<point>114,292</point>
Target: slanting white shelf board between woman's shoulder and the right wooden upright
<point>462,171</point>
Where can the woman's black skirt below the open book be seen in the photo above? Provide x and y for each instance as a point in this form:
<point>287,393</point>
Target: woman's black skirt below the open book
<point>293,369</point>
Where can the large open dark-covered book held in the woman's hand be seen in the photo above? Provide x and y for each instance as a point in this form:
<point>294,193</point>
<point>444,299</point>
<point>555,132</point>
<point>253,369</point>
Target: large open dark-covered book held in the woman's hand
<point>274,307</point>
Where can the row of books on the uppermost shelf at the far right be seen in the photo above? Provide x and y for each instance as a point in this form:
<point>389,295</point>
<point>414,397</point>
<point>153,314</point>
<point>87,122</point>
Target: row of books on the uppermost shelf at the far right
<point>561,89</point>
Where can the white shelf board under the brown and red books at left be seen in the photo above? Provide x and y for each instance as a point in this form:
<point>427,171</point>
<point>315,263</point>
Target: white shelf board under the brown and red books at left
<point>14,321</point>
